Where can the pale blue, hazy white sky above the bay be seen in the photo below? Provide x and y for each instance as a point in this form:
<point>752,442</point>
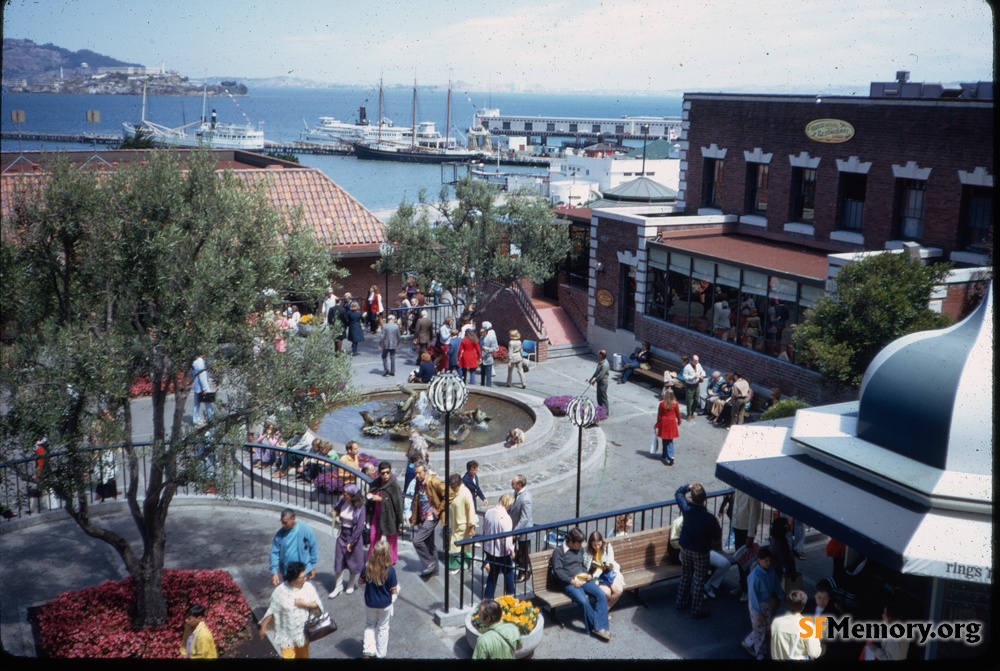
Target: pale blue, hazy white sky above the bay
<point>640,46</point>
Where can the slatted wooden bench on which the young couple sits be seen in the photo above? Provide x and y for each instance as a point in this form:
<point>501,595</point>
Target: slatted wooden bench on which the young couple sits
<point>643,558</point>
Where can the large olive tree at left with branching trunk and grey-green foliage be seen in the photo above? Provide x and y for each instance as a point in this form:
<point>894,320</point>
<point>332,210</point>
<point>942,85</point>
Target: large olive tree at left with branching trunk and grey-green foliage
<point>114,276</point>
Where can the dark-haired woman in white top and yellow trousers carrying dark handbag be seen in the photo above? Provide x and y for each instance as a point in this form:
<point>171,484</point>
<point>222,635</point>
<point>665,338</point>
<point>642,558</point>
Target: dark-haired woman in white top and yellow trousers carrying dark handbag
<point>289,609</point>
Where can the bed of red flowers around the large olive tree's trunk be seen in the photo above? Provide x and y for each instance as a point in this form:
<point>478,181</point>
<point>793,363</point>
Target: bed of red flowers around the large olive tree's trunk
<point>94,622</point>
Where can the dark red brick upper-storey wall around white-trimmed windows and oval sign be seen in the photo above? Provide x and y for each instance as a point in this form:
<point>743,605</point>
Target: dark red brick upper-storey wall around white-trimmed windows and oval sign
<point>946,137</point>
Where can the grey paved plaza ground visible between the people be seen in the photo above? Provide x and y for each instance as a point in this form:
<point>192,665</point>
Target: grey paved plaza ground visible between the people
<point>41,561</point>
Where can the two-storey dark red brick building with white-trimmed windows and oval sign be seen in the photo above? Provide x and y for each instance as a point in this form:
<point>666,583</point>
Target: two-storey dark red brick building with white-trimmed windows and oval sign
<point>776,193</point>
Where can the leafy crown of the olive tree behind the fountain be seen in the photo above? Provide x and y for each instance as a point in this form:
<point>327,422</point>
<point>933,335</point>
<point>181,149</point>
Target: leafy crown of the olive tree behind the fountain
<point>477,240</point>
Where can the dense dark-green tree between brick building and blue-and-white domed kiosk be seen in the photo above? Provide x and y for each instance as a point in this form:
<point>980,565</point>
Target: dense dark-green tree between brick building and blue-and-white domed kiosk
<point>878,300</point>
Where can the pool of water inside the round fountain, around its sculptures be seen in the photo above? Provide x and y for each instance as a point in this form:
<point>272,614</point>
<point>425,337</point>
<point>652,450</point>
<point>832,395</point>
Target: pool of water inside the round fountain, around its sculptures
<point>345,424</point>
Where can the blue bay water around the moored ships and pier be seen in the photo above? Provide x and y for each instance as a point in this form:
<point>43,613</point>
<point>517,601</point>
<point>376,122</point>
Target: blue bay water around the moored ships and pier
<point>286,111</point>
